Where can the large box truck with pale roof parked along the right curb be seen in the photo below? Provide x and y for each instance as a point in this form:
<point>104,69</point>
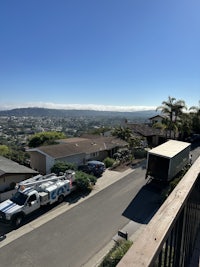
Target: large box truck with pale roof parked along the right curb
<point>165,161</point>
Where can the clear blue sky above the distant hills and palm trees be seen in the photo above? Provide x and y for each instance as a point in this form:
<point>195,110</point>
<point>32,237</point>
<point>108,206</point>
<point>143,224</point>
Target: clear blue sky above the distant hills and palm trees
<point>101,54</point>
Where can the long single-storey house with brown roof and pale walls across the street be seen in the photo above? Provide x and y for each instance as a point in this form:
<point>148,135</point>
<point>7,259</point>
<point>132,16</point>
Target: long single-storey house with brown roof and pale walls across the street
<point>77,150</point>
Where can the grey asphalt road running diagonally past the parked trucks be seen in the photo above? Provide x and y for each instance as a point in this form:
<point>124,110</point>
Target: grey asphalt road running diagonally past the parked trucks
<point>76,235</point>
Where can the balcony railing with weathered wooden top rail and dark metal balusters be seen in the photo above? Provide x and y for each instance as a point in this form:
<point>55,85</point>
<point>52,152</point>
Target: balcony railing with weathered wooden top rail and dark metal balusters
<point>170,237</point>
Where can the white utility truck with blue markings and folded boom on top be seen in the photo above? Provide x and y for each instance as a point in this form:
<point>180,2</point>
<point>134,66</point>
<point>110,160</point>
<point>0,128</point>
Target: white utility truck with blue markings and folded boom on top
<point>34,193</point>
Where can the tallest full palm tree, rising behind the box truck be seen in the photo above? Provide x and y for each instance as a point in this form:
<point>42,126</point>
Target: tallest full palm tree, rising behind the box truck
<point>173,110</point>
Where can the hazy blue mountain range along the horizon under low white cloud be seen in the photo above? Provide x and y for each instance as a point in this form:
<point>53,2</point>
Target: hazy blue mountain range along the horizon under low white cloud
<point>44,112</point>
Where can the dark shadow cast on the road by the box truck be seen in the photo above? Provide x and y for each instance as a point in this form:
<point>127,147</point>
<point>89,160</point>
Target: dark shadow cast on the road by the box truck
<point>146,203</point>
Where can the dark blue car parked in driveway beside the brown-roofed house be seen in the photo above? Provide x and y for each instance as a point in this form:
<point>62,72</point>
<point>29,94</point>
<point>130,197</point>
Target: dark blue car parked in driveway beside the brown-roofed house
<point>93,167</point>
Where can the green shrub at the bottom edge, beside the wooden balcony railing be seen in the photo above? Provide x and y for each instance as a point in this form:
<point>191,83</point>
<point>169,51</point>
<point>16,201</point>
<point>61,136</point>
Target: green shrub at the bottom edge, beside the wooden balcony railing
<point>116,253</point>
